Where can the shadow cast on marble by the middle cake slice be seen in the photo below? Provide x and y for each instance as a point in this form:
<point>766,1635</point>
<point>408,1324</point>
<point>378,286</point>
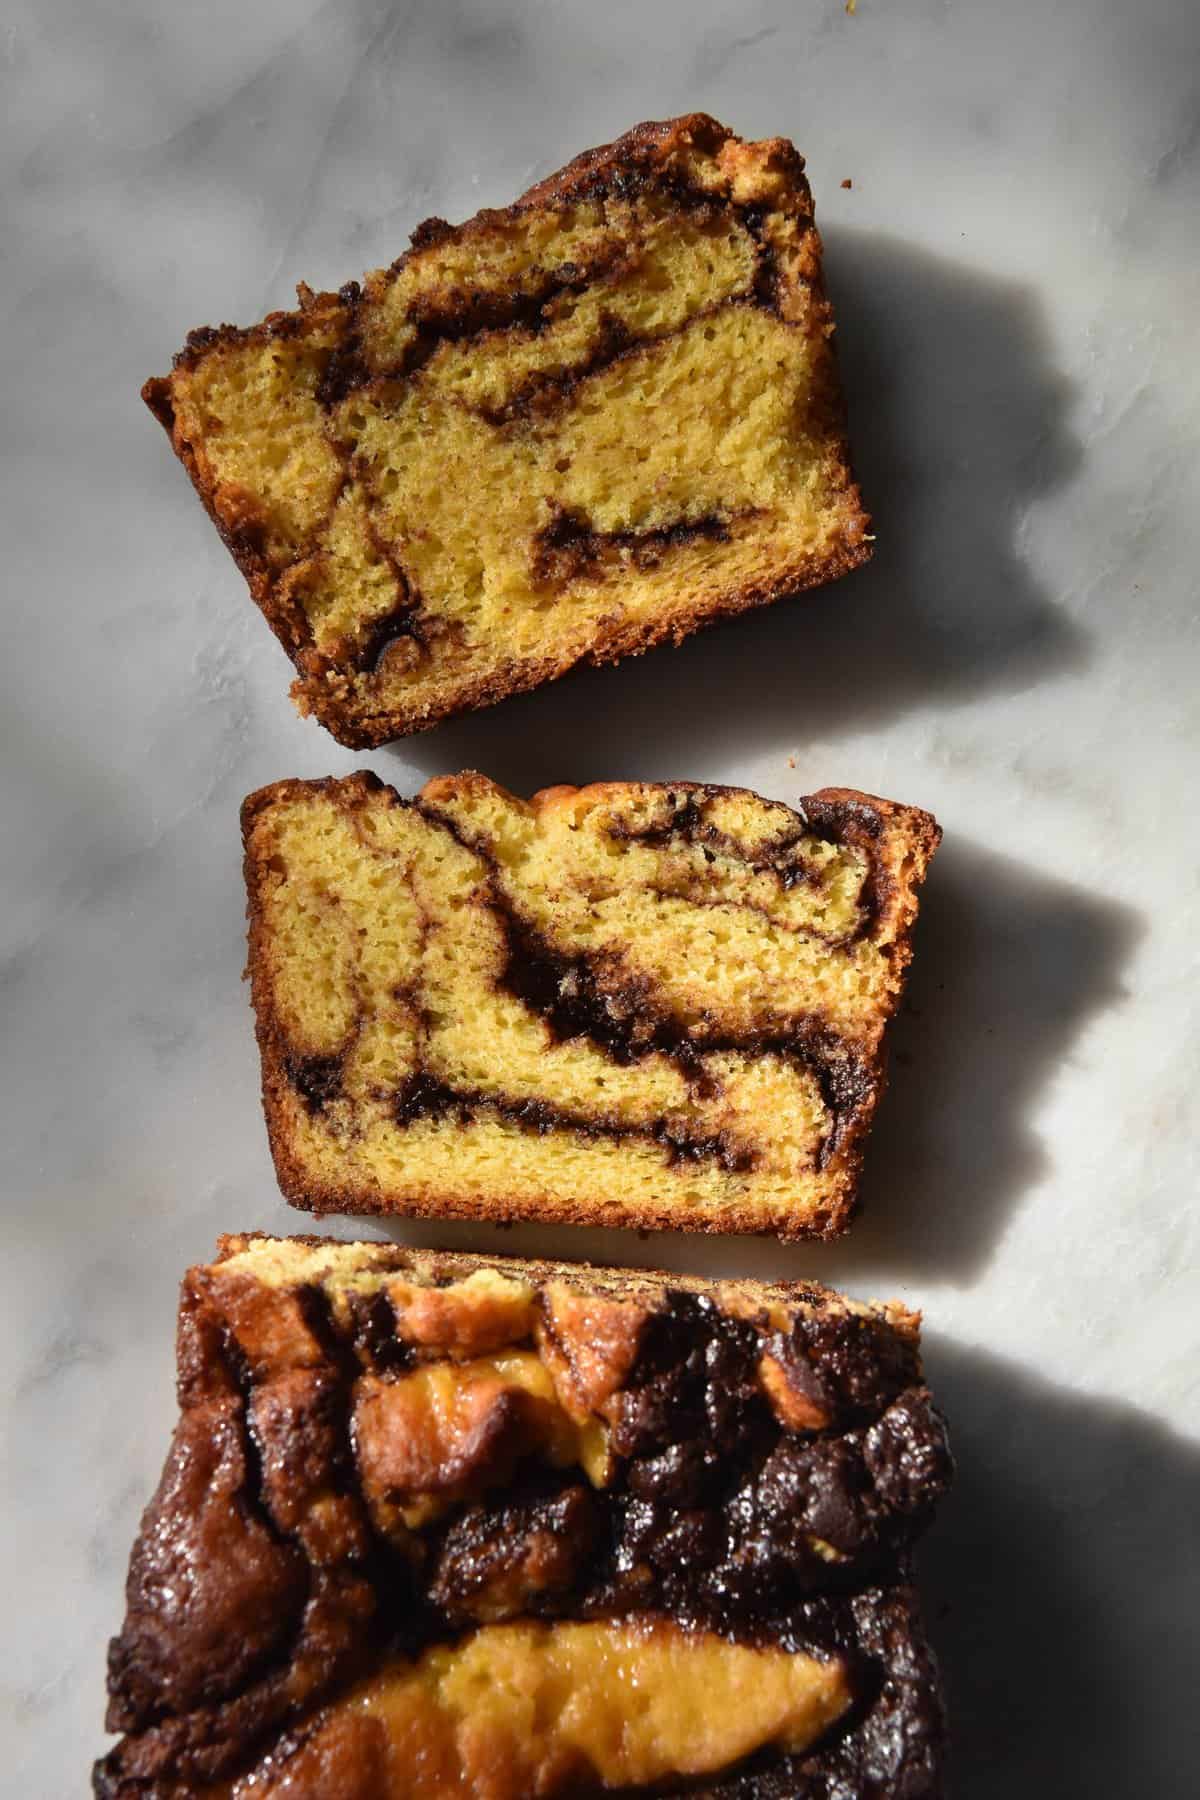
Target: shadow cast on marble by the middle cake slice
<point>1010,967</point>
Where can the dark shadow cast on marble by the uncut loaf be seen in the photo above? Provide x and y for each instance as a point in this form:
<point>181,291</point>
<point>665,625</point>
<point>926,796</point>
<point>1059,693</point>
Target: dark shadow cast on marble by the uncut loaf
<point>1061,1585</point>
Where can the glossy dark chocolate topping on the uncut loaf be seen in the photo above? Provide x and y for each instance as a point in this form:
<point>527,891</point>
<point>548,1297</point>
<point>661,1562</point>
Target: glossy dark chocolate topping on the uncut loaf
<point>273,1570</point>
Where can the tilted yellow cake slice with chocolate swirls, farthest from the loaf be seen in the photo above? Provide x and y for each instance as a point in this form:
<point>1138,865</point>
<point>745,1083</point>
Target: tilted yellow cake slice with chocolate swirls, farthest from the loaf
<point>557,435</point>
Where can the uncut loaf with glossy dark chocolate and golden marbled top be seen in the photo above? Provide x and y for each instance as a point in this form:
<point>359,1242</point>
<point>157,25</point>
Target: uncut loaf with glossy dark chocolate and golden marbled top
<point>452,1525</point>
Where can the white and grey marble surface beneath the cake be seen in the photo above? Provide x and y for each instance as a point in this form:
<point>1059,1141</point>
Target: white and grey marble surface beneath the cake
<point>1017,278</point>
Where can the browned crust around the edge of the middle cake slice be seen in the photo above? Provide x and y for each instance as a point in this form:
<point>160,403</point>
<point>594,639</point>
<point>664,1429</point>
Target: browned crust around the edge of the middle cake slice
<point>908,836</point>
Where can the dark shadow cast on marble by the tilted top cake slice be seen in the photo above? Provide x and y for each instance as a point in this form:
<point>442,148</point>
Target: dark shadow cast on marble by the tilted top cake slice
<point>962,426</point>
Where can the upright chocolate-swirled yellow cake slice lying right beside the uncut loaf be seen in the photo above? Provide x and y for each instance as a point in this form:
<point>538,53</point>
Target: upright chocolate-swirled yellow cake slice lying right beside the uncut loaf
<point>629,1005</point>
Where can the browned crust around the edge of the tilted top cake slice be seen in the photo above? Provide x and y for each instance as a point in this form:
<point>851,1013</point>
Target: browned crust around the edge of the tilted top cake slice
<point>641,157</point>
